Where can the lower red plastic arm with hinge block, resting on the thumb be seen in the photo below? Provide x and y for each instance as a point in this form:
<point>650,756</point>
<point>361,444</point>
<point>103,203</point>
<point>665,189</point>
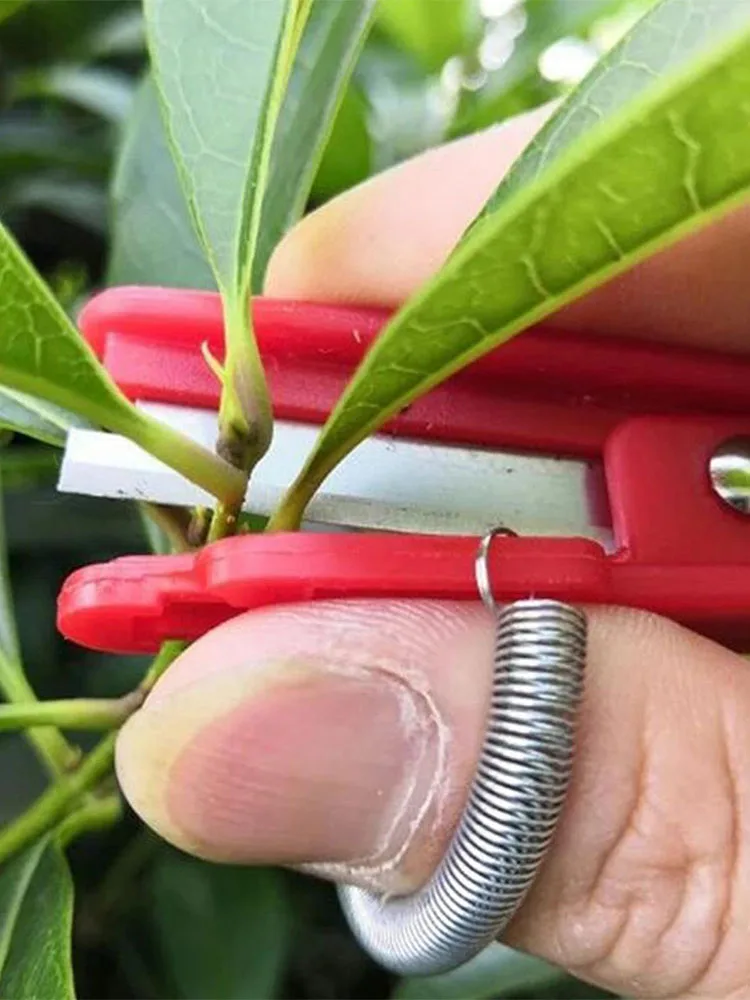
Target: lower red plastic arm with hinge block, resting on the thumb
<point>681,552</point>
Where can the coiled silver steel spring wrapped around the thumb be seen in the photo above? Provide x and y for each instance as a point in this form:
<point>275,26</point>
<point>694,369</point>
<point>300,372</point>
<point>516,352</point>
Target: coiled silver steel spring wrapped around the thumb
<point>517,795</point>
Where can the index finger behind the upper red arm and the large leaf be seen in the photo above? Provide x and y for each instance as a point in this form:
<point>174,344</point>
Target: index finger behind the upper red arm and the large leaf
<point>377,243</point>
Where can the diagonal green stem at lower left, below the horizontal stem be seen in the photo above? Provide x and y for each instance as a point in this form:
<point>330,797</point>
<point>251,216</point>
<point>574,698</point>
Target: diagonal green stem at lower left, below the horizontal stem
<point>52,806</point>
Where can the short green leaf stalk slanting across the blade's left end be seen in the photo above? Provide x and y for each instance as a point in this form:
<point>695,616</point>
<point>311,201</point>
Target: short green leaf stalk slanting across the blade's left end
<point>195,463</point>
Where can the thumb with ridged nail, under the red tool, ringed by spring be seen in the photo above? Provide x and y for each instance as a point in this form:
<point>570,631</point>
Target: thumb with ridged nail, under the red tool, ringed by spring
<point>344,736</point>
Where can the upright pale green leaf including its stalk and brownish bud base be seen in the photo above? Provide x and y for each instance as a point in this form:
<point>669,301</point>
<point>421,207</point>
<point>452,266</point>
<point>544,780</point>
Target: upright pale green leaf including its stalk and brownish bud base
<point>221,68</point>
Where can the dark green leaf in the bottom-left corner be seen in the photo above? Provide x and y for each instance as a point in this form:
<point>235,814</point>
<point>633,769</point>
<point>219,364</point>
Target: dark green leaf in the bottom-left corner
<point>36,912</point>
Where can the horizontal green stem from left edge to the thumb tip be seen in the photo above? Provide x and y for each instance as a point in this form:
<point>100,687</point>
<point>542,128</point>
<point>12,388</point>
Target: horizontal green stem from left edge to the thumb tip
<point>75,713</point>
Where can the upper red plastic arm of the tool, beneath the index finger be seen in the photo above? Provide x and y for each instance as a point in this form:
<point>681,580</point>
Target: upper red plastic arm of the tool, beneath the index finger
<point>546,390</point>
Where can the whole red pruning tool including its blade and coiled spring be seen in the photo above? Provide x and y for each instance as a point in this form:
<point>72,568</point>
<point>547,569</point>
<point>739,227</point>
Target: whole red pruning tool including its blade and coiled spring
<point>618,470</point>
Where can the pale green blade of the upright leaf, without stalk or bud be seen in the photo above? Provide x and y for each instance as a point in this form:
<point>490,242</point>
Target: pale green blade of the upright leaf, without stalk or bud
<point>214,62</point>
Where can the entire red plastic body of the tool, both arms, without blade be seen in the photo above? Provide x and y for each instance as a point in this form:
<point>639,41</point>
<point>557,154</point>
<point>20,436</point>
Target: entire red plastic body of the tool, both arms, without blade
<point>680,550</point>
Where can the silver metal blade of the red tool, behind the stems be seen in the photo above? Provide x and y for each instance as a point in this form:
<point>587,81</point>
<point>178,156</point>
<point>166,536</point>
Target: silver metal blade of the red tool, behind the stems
<point>385,484</point>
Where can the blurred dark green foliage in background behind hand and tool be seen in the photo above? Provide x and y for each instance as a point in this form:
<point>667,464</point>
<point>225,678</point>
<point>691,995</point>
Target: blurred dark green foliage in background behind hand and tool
<point>87,186</point>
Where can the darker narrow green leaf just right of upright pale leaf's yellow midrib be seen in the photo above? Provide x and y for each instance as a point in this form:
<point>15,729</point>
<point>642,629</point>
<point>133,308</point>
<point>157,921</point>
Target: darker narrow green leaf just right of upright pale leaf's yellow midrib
<point>330,44</point>
